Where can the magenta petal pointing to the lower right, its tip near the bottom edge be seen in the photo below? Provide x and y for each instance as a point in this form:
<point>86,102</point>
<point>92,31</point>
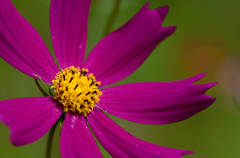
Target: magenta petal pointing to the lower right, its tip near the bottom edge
<point>120,143</point>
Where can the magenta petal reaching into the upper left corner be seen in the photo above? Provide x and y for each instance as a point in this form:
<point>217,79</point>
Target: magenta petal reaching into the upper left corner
<point>21,45</point>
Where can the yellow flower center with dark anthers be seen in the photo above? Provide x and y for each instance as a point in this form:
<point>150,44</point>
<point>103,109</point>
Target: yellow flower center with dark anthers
<point>76,90</point>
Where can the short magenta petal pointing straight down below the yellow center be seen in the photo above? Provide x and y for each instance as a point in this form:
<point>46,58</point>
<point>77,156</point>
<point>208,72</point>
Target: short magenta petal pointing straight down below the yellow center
<point>76,139</point>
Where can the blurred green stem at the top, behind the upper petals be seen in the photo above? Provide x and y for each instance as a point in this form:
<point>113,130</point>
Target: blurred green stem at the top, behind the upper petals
<point>112,17</point>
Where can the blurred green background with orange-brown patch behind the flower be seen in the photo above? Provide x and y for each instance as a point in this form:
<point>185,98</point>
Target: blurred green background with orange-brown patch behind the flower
<point>207,39</point>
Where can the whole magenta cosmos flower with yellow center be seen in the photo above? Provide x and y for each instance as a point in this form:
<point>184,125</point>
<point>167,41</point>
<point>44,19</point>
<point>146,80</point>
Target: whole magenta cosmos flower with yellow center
<point>76,93</point>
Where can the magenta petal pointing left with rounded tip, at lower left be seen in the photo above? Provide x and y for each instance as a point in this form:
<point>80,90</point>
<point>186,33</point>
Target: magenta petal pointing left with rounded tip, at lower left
<point>29,118</point>
